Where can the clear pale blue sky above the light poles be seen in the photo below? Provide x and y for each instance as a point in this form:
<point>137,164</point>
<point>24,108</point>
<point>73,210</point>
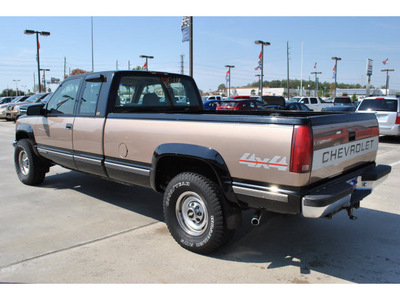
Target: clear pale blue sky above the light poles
<point>221,37</point>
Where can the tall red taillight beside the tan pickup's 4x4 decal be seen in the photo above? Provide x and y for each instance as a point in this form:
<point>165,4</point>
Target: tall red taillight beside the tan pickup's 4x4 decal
<point>302,149</point>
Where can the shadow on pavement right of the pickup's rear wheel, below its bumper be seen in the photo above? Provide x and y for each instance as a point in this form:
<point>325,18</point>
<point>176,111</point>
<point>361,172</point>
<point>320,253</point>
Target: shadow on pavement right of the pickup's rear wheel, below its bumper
<point>366,250</point>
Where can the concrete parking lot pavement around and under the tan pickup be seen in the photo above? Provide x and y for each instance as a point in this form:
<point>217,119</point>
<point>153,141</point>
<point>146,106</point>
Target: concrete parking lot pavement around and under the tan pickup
<point>77,228</point>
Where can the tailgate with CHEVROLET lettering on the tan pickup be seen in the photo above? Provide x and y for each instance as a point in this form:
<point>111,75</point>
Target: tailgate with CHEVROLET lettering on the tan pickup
<point>349,141</point>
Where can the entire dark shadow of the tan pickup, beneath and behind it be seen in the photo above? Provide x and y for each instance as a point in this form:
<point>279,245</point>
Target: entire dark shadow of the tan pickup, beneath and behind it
<point>363,251</point>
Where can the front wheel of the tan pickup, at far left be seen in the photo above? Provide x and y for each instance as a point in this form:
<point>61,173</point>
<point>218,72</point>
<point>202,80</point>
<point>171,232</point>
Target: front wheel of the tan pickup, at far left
<point>30,169</point>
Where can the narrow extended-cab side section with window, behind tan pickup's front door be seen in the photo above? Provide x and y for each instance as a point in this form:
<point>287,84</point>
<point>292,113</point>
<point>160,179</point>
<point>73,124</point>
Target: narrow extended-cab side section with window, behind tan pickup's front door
<point>88,128</point>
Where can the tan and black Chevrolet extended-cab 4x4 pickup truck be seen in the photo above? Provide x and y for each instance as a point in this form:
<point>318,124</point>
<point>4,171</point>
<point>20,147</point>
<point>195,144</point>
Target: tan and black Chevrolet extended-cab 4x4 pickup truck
<point>209,165</point>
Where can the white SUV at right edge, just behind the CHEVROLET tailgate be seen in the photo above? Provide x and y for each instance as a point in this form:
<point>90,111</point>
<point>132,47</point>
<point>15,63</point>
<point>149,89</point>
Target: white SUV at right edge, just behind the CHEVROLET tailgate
<point>387,111</point>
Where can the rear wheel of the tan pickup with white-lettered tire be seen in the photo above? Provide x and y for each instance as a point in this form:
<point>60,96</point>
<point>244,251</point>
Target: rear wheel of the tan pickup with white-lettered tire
<point>194,213</point>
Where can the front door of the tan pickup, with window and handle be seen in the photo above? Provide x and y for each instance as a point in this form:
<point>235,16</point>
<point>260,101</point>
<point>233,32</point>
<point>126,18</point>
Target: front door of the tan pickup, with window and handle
<point>54,131</point>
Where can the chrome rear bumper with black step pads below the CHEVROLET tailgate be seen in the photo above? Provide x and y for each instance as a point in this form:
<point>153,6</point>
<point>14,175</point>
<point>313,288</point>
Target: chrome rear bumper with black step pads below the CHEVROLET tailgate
<point>329,199</point>
